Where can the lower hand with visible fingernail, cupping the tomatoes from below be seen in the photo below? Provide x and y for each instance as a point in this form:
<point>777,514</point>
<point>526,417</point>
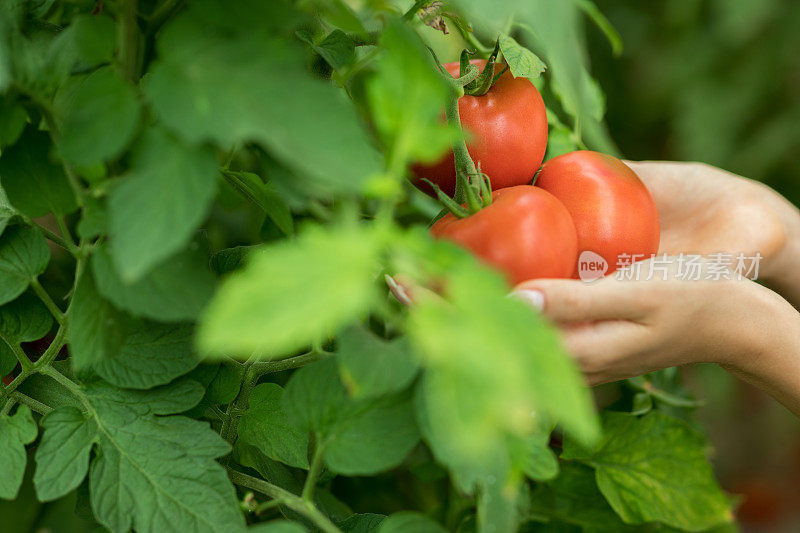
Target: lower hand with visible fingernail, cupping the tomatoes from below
<point>617,329</point>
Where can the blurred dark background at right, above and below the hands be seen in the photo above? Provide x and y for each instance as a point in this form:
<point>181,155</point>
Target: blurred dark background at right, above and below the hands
<point>718,81</point>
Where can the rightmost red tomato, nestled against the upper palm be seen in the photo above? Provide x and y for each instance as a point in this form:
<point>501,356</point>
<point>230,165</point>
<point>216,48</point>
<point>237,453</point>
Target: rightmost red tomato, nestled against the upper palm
<point>613,211</point>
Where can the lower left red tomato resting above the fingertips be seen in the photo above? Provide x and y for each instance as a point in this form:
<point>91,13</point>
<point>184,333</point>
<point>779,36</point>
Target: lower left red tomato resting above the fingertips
<point>525,233</point>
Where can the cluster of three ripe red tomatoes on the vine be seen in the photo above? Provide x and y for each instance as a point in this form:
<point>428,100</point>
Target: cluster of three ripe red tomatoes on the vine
<point>581,201</point>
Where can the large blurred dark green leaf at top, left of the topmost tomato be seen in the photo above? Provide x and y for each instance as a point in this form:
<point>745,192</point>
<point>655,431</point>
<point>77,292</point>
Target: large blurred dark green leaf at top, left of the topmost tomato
<point>195,88</point>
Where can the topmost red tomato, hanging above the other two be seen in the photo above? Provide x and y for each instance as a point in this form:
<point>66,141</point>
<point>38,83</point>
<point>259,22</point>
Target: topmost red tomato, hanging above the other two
<point>508,125</point>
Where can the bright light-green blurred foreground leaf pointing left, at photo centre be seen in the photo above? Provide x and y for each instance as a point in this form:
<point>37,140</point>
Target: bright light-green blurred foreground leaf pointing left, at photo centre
<point>292,293</point>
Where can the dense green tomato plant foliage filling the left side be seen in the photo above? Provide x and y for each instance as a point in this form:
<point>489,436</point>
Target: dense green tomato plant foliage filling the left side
<point>198,204</point>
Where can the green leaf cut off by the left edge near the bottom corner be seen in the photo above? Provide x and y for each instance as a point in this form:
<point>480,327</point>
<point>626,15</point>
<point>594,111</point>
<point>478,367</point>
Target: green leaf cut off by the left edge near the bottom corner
<point>15,432</point>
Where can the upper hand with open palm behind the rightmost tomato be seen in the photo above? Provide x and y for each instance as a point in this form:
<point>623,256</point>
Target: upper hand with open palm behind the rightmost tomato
<point>706,210</point>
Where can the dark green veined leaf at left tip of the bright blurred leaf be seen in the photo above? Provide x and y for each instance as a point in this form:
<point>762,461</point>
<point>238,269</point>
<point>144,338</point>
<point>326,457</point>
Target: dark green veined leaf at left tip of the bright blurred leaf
<point>152,354</point>
